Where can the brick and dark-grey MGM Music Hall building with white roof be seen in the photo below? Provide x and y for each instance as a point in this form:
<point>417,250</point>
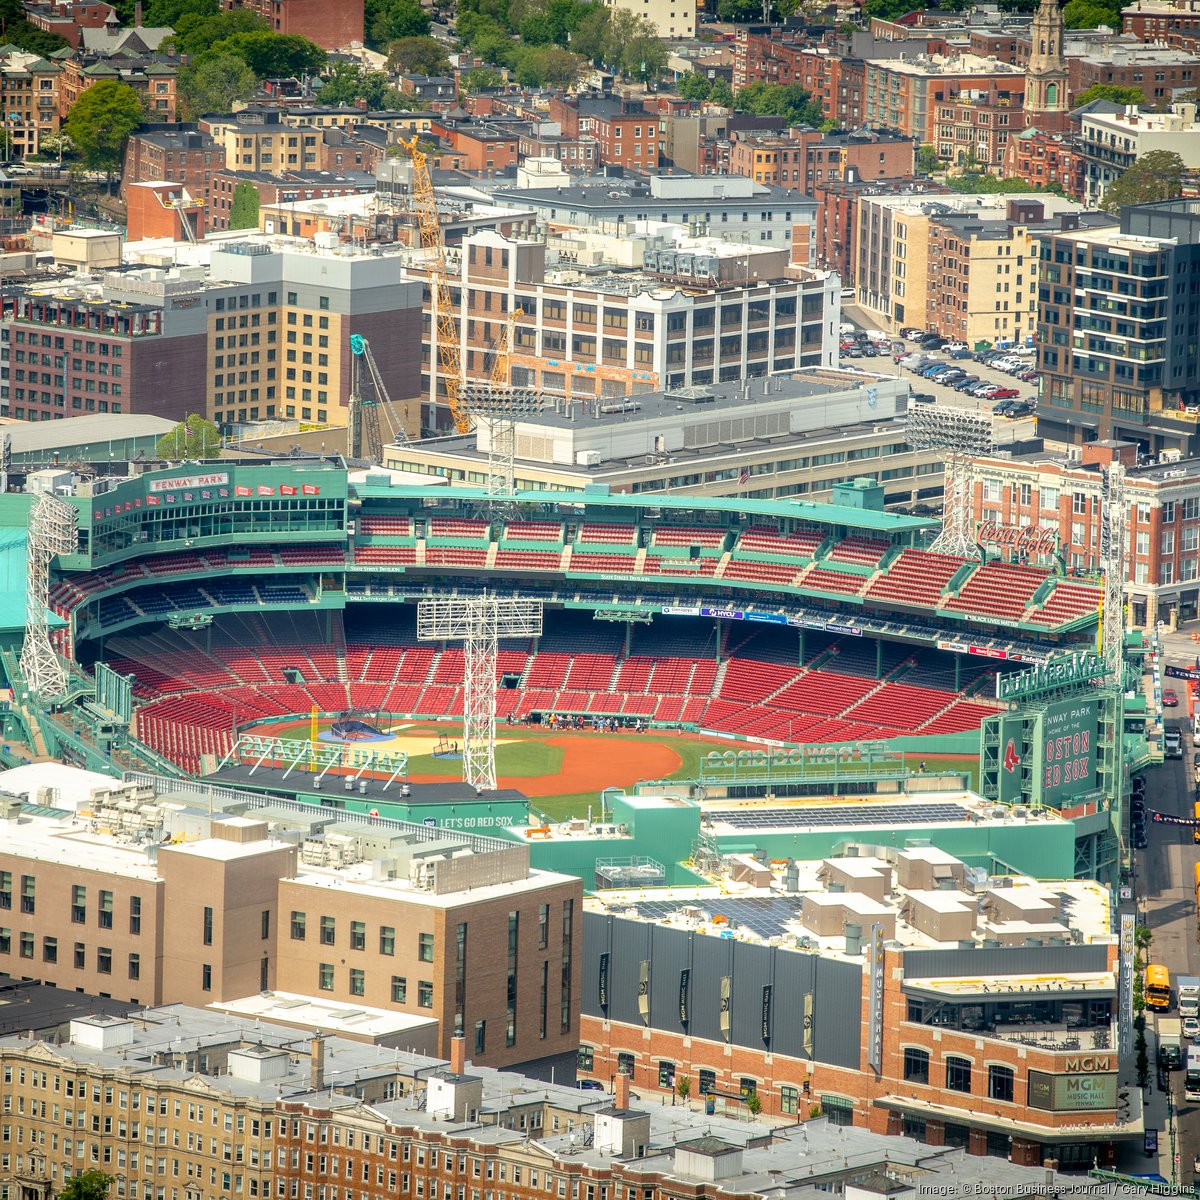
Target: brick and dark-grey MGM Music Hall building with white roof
<point>932,1057</point>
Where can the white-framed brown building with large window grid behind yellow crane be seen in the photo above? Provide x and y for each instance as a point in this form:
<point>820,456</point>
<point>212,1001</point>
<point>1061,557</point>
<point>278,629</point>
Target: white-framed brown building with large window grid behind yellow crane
<point>681,313</point>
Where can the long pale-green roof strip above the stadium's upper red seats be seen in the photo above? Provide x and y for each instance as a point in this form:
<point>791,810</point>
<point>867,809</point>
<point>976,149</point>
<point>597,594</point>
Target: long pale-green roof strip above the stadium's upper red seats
<point>802,511</point>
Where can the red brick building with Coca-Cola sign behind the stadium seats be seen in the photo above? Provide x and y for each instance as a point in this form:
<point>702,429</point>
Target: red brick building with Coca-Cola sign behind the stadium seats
<point>1042,507</point>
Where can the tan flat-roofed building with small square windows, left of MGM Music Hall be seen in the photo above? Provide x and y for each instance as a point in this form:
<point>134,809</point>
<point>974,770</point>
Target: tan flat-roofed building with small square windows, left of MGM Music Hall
<point>219,909</point>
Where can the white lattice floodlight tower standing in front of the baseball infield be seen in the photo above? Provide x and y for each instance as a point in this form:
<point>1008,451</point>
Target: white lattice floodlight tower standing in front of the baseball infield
<point>479,623</point>
